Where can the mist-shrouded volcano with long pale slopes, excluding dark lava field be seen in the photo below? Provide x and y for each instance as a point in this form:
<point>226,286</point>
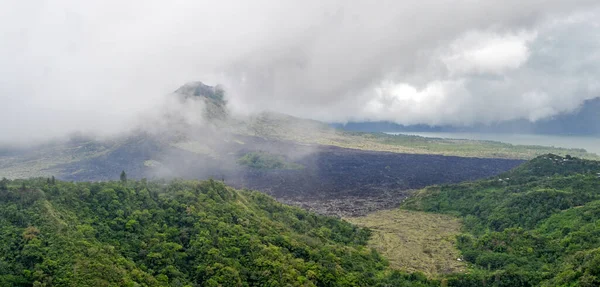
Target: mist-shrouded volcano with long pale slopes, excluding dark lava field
<point>219,139</point>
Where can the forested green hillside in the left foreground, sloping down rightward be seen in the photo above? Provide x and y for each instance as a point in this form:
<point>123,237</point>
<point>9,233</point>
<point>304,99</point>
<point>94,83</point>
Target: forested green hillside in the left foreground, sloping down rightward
<point>182,233</point>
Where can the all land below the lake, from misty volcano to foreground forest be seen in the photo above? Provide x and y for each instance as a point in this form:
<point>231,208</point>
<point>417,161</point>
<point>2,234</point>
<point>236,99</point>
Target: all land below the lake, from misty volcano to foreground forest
<point>293,199</point>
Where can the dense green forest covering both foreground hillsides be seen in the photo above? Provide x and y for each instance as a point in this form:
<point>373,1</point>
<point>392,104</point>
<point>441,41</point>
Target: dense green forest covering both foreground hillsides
<point>537,225</point>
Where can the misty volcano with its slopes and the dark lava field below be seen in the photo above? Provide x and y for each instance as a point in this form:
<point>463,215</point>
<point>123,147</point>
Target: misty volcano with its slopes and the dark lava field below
<point>334,172</point>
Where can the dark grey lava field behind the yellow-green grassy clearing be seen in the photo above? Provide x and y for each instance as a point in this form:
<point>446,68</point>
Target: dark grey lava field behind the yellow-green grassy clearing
<point>347,182</point>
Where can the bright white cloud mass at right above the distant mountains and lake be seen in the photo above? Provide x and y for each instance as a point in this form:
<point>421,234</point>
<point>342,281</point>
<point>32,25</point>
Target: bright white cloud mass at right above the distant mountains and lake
<point>487,77</point>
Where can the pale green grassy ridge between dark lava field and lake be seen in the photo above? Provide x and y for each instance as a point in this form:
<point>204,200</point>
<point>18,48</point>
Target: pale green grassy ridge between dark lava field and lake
<point>282,127</point>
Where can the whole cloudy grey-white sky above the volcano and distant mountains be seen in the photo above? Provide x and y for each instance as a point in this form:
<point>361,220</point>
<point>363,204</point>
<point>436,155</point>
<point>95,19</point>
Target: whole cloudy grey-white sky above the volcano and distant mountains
<point>95,65</point>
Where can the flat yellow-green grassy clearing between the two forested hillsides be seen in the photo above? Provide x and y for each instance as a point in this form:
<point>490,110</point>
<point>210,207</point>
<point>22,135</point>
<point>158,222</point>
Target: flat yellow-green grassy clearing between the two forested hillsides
<point>415,241</point>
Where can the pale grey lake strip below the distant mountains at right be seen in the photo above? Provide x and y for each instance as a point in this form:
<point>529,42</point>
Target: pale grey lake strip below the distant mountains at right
<point>591,144</point>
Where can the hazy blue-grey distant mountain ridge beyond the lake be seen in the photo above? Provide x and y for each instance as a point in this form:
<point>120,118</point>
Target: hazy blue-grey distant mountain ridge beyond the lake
<point>582,121</point>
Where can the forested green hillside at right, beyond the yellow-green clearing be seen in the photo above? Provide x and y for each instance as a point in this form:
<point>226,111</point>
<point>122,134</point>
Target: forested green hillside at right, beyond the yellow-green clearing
<point>538,225</point>
